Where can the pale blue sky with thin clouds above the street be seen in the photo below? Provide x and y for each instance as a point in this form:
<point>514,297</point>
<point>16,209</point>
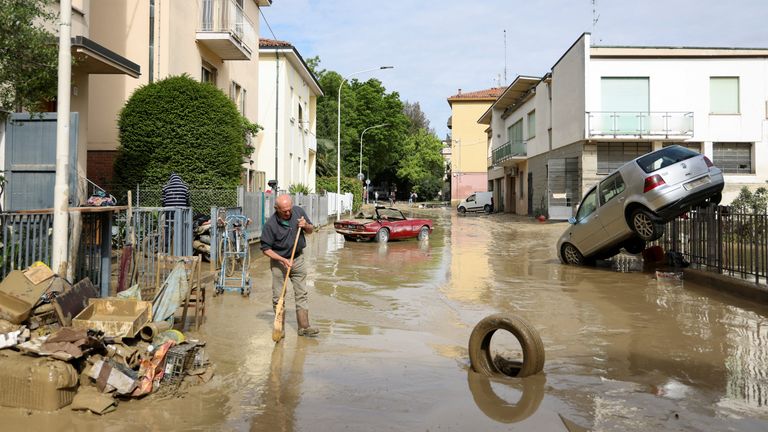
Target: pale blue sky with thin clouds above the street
<point>438,47</point>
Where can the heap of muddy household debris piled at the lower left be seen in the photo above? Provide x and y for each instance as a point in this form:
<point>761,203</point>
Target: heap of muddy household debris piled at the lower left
<point>61,345</point>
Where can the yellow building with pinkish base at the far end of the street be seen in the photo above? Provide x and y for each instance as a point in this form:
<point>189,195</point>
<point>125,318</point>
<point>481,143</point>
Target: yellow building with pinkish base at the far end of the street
<point>469,142</point>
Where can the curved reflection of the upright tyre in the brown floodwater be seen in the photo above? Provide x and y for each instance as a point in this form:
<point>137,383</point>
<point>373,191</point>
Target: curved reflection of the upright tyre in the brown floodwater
<point>531,391</point>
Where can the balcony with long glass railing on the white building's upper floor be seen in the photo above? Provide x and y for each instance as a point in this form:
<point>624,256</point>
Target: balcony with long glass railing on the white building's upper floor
<point>624,124</point>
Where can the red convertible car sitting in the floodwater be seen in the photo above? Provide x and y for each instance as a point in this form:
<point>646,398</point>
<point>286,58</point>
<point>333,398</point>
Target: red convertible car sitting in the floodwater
<point>386,223</point>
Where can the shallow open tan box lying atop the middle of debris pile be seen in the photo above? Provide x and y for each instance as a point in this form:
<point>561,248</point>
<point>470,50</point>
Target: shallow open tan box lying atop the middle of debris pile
<point>116,317</point>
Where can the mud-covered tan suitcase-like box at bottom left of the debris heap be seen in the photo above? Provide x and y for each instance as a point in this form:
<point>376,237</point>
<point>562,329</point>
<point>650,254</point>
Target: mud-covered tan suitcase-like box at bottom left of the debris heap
<point>36,382</point>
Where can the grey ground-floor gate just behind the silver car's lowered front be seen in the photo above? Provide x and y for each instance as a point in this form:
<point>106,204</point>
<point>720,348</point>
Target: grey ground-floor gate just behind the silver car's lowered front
<point>562,187</point>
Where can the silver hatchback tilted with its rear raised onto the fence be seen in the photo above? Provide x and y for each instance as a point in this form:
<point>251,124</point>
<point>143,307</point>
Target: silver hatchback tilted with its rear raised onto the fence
<point>631,206</point>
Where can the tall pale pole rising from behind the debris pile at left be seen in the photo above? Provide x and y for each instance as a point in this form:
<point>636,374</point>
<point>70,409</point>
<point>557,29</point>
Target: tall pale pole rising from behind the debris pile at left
<point>61,188</point>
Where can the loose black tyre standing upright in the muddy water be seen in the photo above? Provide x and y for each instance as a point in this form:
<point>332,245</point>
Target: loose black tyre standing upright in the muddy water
<point>480,355</point>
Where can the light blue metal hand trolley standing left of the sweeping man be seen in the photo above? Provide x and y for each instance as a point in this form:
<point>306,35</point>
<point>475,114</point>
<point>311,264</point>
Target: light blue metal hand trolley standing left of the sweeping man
<point>233,255</point>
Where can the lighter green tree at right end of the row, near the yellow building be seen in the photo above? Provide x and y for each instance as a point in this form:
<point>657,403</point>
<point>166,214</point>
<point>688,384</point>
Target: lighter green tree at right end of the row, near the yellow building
<point>422,168</point>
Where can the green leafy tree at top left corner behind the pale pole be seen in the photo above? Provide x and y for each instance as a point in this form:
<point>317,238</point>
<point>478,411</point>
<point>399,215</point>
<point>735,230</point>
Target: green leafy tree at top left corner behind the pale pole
<point>28,55</point>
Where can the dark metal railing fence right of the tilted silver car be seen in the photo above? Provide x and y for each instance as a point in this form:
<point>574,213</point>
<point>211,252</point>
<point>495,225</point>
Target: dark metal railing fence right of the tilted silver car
<point>722,239</point>
